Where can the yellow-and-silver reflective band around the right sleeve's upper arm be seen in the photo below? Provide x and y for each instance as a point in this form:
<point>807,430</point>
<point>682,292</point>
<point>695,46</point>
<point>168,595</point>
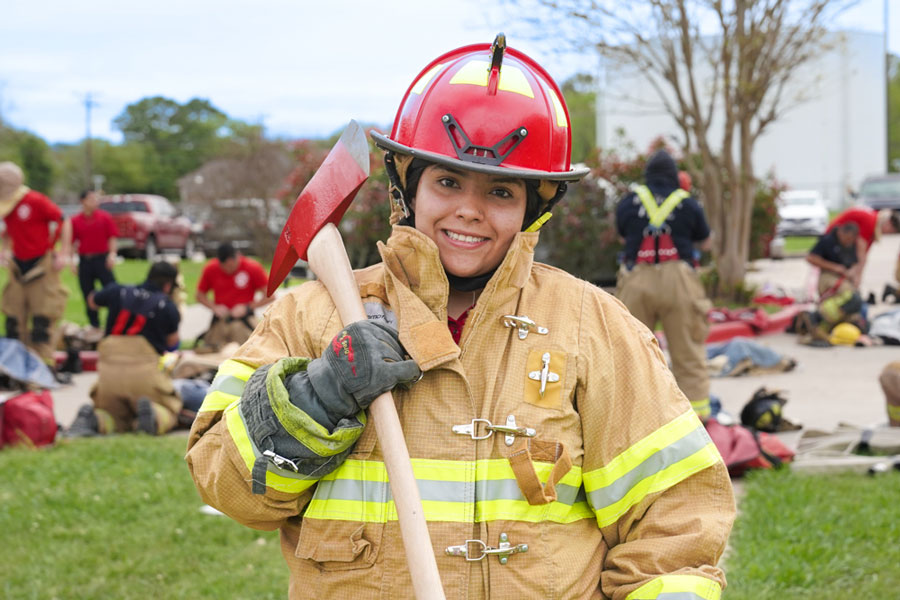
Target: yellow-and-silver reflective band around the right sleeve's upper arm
<point>664,458</point>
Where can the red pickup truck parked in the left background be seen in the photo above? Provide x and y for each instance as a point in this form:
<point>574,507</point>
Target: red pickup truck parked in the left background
<point>148,225</point>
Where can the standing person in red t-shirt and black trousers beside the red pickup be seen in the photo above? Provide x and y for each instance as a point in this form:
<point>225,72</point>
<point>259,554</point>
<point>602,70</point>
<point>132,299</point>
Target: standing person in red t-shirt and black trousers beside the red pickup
<point>94,234</point>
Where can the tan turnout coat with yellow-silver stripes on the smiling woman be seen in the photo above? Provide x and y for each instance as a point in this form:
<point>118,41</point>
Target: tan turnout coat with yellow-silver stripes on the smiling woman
<point>554,453</point>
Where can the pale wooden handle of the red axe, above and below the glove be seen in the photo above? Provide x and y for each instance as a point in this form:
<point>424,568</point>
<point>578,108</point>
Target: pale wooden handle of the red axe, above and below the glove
<point>327,258</point>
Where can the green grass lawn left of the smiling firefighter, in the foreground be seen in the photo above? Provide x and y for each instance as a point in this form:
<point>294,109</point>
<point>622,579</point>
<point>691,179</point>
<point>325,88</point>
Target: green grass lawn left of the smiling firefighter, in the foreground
<point>119,517</point>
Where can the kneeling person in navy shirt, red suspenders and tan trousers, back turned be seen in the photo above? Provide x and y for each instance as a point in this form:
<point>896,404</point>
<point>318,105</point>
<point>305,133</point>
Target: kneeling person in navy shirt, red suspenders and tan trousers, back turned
<point>131,392</point>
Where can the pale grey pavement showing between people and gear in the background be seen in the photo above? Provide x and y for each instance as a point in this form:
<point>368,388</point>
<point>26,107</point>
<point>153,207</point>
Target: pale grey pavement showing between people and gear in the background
<point>829,385</point>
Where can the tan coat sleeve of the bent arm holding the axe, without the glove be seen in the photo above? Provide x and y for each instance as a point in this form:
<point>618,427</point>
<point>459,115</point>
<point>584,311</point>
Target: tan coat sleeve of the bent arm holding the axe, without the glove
<point>220,452</point>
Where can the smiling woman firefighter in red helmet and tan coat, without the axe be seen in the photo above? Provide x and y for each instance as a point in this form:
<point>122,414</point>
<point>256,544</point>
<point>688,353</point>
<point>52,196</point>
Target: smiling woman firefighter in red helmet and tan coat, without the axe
<point>554,453</point>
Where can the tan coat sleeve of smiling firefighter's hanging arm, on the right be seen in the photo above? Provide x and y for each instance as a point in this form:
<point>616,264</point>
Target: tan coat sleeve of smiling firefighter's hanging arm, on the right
<point>655,481</point>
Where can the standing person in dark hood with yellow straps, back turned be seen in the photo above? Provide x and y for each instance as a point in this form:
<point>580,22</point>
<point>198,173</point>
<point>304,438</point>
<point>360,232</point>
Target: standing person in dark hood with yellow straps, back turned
<point>662,226</point>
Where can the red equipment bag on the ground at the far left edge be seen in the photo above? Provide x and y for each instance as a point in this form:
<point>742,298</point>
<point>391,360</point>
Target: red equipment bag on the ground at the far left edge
<point>28,419</point>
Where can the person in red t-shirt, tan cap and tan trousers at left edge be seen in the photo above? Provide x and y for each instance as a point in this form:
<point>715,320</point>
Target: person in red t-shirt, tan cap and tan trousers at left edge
<point>34,298</point>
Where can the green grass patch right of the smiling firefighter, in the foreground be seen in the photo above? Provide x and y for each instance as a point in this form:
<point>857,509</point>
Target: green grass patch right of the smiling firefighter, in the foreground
<point>813,537</point>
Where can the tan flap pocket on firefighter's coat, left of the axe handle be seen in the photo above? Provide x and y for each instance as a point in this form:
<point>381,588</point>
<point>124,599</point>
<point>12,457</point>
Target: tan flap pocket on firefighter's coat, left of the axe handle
<point>339,545</point>
